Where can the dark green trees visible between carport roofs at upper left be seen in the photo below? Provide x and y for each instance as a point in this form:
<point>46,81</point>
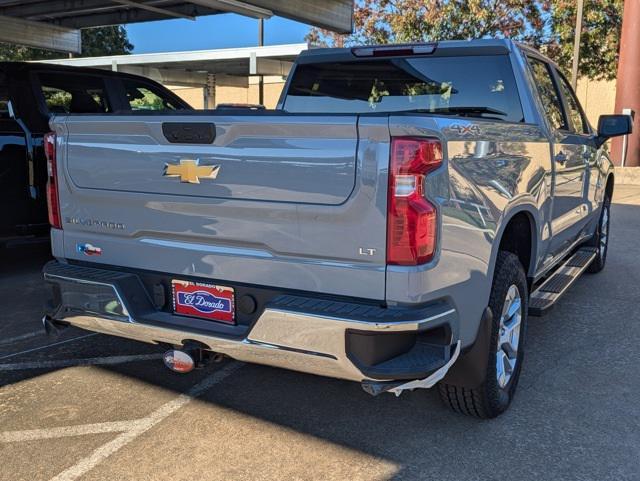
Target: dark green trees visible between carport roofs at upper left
<point>110,40</point>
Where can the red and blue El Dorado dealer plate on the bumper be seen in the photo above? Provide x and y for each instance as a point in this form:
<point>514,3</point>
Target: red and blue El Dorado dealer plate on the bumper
<point>205,301</point>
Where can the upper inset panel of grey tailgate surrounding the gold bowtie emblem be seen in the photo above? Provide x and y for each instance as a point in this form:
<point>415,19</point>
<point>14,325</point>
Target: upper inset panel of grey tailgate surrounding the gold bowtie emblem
<point>278,159</point>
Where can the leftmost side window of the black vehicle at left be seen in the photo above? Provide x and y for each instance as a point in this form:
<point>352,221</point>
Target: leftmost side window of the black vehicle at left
<point>74,94</point>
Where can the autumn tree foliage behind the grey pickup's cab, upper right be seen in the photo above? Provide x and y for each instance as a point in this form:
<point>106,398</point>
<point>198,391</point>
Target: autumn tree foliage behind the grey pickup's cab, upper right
<point>547,25</point>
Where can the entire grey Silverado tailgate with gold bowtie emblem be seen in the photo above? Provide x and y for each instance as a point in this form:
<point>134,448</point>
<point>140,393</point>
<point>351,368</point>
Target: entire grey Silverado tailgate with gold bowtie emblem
<point>297,202</point>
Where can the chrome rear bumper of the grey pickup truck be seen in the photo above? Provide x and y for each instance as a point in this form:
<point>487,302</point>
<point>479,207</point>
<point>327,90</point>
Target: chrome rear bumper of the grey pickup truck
<point>100,301</point>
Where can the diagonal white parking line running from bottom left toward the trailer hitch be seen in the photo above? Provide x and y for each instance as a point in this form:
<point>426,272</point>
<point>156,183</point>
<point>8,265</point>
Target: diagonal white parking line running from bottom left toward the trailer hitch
<point>141,426</point>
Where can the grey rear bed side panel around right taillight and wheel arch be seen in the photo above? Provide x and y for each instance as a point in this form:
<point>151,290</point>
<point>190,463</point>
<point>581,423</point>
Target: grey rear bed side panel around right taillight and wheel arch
<point>491,171</point>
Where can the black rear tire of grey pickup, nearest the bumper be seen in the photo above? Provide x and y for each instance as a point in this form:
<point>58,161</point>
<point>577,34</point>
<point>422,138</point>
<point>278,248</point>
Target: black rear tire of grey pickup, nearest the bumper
<point>489,399</point>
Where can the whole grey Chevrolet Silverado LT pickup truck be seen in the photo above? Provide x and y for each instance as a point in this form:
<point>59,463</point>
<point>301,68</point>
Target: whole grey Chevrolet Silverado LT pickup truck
<point>393,222</point>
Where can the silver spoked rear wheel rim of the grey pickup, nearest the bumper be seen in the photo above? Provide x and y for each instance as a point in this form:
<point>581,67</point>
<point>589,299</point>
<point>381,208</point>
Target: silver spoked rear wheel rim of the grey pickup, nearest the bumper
<point>508,336</point>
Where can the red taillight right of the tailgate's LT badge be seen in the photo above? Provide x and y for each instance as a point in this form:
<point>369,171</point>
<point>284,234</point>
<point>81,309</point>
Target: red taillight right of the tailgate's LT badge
<point>412,223</point>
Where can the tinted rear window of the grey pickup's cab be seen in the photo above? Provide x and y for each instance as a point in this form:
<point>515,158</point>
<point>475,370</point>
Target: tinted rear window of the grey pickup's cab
<point>481,86</point>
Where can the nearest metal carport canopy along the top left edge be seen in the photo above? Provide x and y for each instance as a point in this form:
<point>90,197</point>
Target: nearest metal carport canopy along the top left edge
<point>54,24</point>
